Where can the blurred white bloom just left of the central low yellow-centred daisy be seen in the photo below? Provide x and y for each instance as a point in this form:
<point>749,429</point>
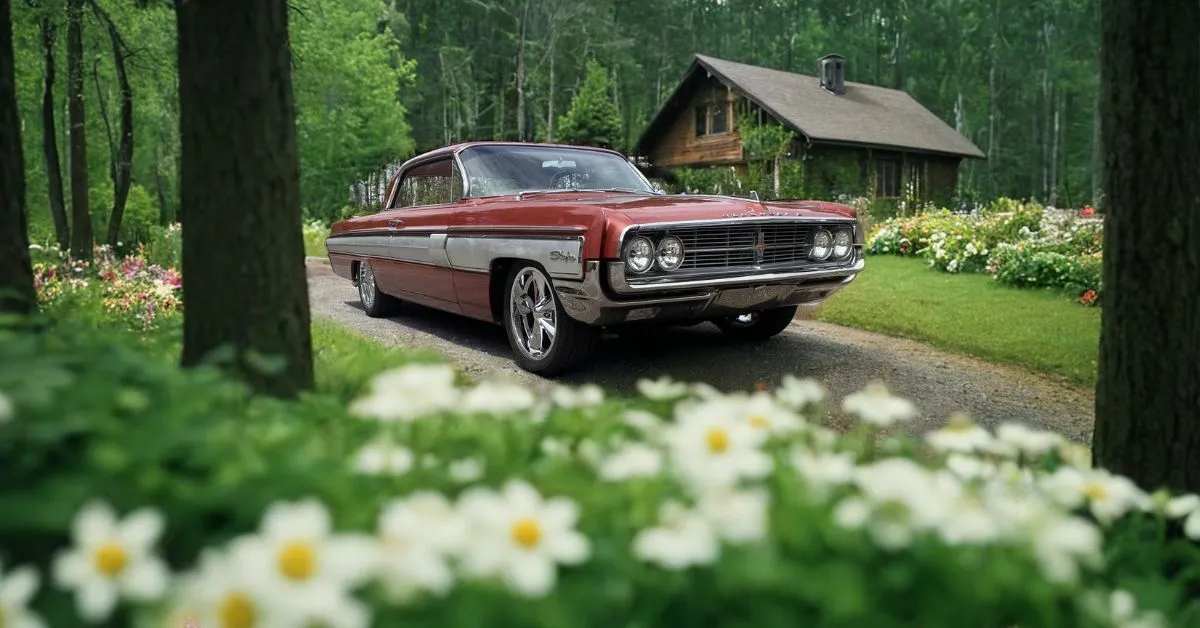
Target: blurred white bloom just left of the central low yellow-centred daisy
<point>417,536</point>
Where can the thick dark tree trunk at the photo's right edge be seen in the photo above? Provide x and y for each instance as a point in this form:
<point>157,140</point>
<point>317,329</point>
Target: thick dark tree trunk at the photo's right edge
<point>1149,387</point>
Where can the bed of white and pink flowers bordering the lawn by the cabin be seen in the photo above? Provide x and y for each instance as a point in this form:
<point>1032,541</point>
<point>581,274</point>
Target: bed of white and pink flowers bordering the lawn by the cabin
<point>1019,244</point>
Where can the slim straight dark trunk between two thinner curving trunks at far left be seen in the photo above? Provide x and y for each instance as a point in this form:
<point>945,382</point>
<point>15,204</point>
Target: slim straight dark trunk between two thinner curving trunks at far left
<point>81,217</point>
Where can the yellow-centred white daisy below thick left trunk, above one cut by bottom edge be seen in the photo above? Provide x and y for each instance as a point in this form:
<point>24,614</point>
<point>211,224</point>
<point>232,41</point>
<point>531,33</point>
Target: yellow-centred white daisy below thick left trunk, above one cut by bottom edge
<point>297,552</point>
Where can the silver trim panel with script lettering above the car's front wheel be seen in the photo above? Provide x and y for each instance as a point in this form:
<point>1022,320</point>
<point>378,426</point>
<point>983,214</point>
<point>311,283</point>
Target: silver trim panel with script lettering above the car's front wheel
<point>562,258</point>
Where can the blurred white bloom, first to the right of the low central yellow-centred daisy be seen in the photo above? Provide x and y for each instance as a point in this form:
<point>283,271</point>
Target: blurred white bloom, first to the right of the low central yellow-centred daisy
<point>681,540</point>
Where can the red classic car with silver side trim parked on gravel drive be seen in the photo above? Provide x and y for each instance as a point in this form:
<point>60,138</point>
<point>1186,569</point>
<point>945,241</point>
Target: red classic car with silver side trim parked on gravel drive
<point>557,243</point>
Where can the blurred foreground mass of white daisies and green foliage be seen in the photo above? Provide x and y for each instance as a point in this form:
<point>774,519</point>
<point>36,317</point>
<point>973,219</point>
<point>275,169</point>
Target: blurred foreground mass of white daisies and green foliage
<point>143,495</point>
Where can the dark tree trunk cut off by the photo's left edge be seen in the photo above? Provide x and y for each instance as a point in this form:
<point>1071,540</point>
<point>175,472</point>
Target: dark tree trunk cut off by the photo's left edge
<point>17,294</point>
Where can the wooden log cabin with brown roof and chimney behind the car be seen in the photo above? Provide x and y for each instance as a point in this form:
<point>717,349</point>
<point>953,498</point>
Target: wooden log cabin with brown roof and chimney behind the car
<point>850,139</point>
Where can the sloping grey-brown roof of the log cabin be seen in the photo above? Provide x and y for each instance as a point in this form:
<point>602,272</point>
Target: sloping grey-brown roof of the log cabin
<point>867,115</point>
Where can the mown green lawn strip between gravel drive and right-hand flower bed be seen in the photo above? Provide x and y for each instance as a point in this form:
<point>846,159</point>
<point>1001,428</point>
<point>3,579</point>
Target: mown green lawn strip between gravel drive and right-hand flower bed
<point>1041,331</point>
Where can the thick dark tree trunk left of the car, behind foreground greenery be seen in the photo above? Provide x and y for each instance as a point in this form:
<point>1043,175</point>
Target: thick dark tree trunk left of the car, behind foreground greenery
<point>245,286</point>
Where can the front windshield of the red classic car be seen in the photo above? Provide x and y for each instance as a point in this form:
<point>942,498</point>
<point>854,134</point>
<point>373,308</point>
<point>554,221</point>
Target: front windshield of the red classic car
<point>512,170</point>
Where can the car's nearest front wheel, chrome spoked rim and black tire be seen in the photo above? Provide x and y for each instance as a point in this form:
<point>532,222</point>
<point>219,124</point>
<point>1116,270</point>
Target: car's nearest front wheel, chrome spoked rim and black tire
<point>530,290</point>
